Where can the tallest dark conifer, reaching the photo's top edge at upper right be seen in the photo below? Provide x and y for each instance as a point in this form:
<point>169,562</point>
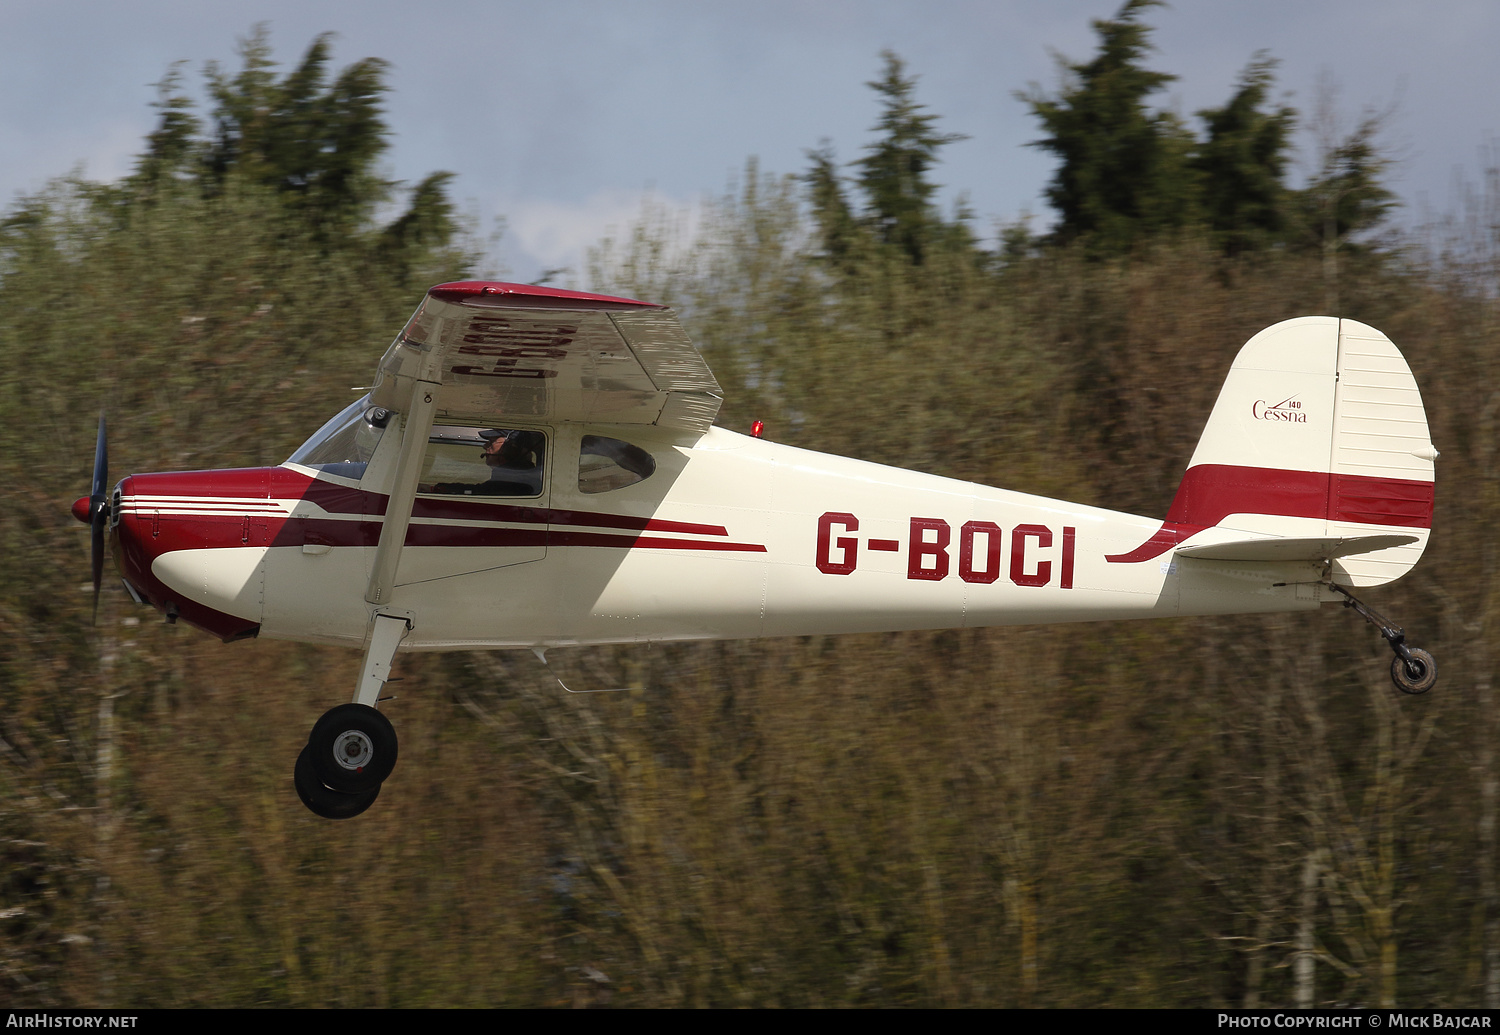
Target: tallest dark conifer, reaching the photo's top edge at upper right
<point>1124,170</point>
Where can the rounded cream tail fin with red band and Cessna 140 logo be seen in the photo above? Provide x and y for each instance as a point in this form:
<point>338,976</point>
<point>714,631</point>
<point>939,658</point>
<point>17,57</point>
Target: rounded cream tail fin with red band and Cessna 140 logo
<point>1319,434</point>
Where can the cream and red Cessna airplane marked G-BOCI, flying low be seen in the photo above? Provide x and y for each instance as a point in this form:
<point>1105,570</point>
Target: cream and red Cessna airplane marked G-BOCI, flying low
<point>538,469</point>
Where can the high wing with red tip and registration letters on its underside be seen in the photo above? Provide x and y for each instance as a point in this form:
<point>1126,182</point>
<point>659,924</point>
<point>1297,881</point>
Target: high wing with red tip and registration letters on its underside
<point>508,350</point>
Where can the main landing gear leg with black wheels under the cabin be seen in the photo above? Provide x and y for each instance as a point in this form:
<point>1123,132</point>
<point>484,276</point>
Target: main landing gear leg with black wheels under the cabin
<point>353,748</point>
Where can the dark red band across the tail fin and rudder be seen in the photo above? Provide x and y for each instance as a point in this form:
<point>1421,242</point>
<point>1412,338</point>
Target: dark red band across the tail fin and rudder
<point>1211,493</point>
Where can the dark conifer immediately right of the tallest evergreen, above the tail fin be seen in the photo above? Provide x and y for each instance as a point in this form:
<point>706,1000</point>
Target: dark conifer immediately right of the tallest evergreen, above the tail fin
<point>1243,163</point>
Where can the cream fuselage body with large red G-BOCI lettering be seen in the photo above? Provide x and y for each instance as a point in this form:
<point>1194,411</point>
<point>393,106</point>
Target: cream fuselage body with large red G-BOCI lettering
<point>731,538</point>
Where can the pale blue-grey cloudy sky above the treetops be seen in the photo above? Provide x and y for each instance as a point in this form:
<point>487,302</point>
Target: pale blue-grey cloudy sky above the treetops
<point>562,116</point>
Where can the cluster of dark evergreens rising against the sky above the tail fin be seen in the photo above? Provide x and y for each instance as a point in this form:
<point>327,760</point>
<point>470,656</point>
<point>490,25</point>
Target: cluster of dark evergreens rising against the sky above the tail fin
<point>1127,173</point>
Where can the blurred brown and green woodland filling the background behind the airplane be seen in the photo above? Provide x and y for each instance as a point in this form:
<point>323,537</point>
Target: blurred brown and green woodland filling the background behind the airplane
<point>1201,812</point>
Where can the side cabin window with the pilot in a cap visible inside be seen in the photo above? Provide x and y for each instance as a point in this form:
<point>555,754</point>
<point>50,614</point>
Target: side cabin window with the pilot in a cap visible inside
<point>484,463</point>
